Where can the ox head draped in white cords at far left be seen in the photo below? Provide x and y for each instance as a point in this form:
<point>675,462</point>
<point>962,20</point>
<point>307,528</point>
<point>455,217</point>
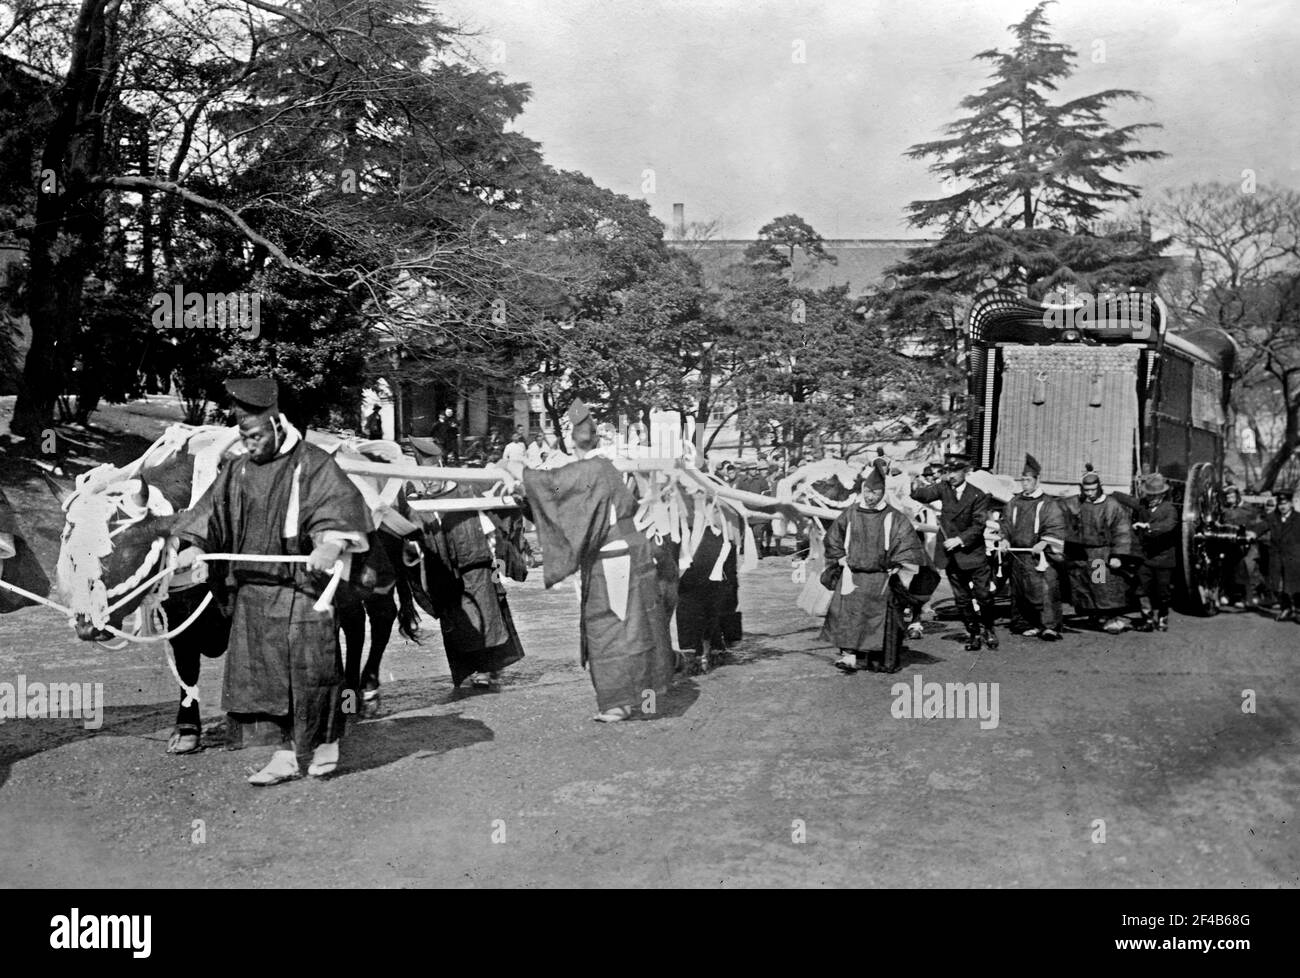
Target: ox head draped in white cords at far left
<point>115,538</point>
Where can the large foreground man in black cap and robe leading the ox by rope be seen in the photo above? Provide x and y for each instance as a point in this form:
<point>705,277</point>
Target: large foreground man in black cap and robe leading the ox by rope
<point>287,497</point>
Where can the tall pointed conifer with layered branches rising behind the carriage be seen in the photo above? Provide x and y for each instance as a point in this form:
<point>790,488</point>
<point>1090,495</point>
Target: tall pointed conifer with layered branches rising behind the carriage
<point>1035,179</point>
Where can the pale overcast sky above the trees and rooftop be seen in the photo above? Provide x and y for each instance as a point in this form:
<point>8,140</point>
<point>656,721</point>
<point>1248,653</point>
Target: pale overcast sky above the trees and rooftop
<point>708,94</point>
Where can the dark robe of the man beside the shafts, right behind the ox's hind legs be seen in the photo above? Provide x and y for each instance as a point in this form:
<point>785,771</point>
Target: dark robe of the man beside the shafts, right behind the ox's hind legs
<point>478,630</point>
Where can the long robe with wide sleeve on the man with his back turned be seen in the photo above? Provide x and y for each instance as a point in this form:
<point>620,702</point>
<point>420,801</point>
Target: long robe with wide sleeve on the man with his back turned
<point>584,517</point>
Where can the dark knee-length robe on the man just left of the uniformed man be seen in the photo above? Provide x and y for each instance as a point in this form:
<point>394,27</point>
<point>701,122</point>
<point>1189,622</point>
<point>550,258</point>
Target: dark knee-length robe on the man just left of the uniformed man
<point>870,617</point>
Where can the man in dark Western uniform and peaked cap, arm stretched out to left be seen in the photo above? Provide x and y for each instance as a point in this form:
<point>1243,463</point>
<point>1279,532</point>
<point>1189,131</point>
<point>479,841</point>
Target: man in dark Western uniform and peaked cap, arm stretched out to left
<point>960,549</point>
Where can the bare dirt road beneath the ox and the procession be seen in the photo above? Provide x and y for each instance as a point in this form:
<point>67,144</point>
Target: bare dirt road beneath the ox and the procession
<point>774,769</point>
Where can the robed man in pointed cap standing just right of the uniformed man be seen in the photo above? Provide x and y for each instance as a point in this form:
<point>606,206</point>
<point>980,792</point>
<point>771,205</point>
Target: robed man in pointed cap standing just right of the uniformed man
<point>1035,522</point>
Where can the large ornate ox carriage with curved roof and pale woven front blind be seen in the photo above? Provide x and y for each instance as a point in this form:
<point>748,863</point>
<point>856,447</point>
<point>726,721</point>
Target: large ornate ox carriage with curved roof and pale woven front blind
<point>1106,383</point>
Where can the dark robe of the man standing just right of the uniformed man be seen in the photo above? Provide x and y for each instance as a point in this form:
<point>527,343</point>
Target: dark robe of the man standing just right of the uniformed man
<point>1035,595</point>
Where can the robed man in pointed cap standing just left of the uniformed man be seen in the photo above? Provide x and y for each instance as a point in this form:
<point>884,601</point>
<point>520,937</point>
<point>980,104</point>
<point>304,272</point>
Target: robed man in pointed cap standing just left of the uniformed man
<point>873,559</point>
